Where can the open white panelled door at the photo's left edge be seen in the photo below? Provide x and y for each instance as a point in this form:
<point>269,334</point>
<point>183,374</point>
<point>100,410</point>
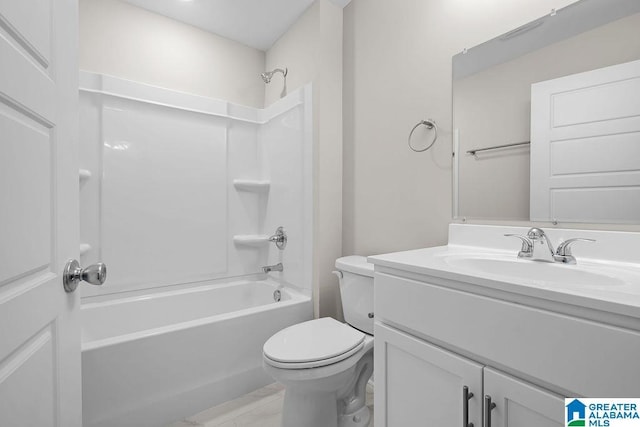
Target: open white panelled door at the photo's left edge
<point>39,321</point>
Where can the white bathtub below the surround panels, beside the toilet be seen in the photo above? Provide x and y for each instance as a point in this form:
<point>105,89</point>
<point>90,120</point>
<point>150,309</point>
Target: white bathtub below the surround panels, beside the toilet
<point>152,359</point>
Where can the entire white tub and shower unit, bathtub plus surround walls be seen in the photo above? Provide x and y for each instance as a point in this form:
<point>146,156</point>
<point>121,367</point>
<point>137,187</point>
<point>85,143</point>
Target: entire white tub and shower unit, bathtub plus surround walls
<point>202,211</point>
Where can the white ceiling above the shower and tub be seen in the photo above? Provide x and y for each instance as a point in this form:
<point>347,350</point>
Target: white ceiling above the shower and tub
<point>255,23</point>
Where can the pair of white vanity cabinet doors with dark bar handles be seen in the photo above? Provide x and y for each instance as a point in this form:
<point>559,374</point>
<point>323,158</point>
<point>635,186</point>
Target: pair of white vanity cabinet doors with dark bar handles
<point>420,384</point>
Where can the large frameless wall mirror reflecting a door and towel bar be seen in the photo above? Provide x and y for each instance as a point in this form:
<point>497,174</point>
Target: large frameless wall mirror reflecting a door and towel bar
<point>581,167</point>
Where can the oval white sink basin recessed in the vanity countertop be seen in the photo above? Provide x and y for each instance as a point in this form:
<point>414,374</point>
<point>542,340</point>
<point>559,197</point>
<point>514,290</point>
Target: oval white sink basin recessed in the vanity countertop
<point>537,271</point>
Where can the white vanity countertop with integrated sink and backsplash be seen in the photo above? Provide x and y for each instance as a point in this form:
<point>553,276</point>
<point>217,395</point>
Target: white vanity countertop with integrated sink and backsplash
<point>479,259</point>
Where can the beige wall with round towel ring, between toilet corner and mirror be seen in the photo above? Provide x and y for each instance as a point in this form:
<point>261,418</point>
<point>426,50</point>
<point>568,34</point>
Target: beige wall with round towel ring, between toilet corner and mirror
<point>397,71</point>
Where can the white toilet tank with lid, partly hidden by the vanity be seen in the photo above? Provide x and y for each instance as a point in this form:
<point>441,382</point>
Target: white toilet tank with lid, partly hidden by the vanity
<point>356,290</point>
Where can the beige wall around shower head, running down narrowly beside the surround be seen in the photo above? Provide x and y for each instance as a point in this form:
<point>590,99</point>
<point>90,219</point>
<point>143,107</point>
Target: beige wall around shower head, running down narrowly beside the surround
<point>312,50</point>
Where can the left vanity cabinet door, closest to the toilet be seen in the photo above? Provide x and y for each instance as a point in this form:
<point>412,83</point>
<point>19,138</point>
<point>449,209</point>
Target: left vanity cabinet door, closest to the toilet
<point>419,384</point>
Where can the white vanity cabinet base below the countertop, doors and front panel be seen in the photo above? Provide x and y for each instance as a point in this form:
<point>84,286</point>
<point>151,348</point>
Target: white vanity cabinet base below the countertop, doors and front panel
<point>435,335</point>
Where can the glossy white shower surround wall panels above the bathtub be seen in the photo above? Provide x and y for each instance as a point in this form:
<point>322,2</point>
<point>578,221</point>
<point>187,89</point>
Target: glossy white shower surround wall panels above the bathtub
<point>175,176</point>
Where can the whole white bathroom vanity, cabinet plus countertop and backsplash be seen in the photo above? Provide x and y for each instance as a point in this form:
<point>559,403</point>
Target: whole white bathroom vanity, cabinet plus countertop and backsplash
<point>519,333</point>
